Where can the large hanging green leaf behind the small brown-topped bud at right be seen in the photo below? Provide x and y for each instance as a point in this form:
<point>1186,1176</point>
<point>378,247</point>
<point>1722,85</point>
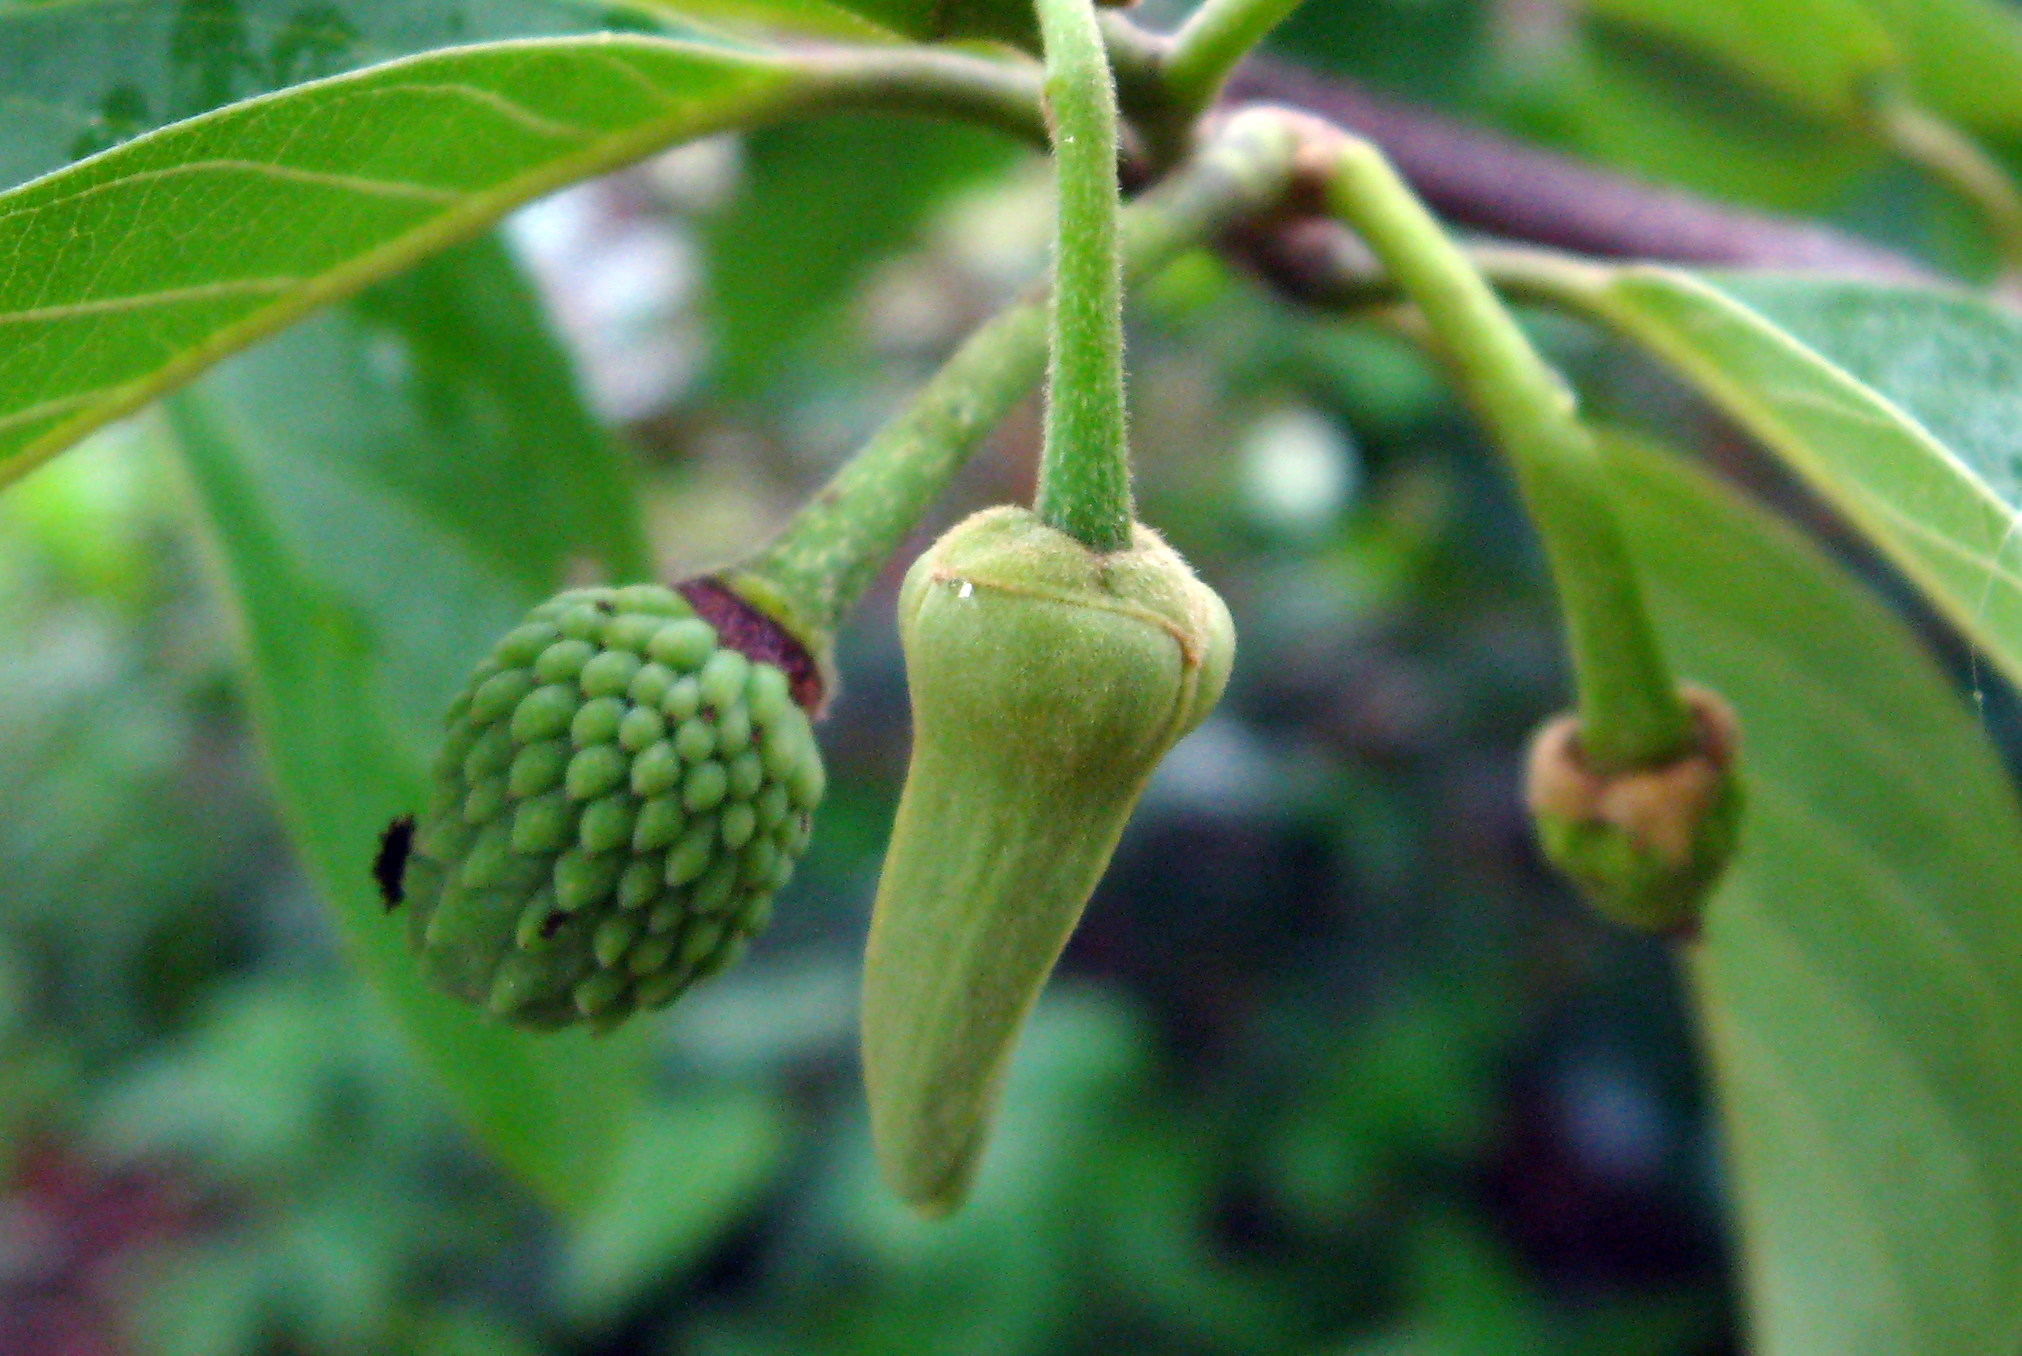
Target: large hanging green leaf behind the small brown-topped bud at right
<point>1861,971</point>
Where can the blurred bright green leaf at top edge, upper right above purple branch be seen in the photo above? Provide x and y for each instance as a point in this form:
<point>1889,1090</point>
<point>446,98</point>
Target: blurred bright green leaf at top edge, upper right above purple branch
<point>1817,54</point>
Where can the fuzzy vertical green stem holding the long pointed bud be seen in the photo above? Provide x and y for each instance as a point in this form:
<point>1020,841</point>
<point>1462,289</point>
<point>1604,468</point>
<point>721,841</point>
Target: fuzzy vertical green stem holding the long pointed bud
<point>1085,468</point>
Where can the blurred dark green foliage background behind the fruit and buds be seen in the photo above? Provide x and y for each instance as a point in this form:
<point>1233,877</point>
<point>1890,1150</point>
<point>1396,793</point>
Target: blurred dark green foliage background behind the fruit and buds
<point>1334,1066</point>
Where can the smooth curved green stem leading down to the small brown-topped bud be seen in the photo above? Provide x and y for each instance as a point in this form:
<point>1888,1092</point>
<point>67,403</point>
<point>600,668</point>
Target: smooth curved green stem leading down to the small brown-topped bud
<point>1629,702</point>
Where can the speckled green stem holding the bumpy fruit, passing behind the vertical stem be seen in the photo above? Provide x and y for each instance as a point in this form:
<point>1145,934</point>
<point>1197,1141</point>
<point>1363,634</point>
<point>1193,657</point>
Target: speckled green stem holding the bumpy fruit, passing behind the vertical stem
<point>832,551</point>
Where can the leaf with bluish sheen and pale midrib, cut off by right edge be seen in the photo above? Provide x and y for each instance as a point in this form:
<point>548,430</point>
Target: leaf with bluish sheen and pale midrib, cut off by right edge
<point>1900,405</point>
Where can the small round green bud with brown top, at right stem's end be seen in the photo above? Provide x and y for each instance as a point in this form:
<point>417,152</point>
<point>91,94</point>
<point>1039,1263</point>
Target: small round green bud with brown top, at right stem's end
<point>1643,844</point>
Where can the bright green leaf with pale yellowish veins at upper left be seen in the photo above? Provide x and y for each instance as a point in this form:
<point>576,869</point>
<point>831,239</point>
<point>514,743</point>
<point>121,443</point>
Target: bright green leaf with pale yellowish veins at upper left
<point>132,272</point>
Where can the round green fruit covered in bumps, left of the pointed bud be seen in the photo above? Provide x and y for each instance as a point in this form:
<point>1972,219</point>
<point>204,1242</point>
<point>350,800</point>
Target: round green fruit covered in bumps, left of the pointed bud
<point>614,809</point>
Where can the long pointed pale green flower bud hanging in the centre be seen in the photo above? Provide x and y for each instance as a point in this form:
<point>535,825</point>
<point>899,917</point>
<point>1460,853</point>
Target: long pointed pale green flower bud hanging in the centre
<point>1046,686</point>
